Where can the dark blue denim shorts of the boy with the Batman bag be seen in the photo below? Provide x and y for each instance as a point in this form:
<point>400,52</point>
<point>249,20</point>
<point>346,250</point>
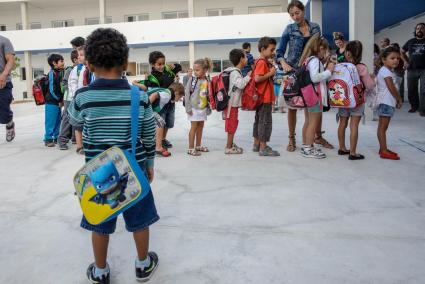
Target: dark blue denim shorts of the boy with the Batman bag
<point>139,217</point>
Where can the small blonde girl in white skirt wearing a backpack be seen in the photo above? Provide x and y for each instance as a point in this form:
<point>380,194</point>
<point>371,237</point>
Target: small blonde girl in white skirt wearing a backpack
<point>196,104</point>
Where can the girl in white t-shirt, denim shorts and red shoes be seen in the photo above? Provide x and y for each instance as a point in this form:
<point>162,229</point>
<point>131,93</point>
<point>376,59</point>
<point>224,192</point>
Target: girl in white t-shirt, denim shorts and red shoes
<point>388,99</point>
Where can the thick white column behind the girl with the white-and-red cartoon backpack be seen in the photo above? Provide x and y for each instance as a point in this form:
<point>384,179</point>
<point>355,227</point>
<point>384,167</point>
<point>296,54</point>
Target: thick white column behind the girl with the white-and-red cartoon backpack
<point>362,28</point>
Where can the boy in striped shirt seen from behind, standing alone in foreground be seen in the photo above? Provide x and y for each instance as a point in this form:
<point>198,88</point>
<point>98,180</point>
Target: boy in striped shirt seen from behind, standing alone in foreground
<point>104,110</point>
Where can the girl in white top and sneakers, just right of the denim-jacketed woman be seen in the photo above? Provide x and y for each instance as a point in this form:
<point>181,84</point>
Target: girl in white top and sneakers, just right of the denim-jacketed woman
<point>314,52</point>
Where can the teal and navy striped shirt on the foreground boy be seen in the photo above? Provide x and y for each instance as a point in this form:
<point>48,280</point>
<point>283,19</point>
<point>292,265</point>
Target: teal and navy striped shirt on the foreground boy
<point>104,110</point>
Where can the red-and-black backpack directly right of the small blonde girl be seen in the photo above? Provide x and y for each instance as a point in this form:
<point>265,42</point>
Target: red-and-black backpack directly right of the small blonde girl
<point>218,95</point>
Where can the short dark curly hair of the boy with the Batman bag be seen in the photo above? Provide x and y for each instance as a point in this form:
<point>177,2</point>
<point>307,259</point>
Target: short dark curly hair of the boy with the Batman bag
<point>106,48</point>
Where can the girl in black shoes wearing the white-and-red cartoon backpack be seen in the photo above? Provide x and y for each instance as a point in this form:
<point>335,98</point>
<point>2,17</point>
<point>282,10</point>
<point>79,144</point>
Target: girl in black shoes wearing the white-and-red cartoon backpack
<point>353,54</point>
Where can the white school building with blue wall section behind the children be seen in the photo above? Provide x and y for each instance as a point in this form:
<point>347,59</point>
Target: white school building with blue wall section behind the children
<point>182,29</point>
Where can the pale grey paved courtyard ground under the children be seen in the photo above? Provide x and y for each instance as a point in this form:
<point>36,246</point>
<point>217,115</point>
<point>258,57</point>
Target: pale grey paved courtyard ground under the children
<point>228,219</point>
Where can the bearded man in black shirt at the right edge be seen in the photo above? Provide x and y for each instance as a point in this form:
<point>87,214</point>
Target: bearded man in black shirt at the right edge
<point>415,64</point>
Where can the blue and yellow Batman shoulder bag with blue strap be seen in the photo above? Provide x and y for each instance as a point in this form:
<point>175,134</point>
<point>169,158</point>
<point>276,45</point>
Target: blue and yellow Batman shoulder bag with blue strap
<point>112,182</point>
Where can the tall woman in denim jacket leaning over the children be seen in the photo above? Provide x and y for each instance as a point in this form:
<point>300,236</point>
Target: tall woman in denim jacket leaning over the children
<point>293,40</point>
